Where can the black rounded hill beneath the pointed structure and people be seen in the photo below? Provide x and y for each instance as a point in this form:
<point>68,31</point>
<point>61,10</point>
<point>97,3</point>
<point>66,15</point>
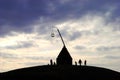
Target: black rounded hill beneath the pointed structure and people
<point>55,72</point>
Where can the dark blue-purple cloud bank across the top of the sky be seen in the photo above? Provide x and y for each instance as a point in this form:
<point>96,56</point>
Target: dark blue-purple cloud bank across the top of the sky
<point>18,15</point>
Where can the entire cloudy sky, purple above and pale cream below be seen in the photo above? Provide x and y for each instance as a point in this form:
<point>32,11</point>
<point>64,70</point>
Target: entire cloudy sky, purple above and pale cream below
<point>90,28</point>
